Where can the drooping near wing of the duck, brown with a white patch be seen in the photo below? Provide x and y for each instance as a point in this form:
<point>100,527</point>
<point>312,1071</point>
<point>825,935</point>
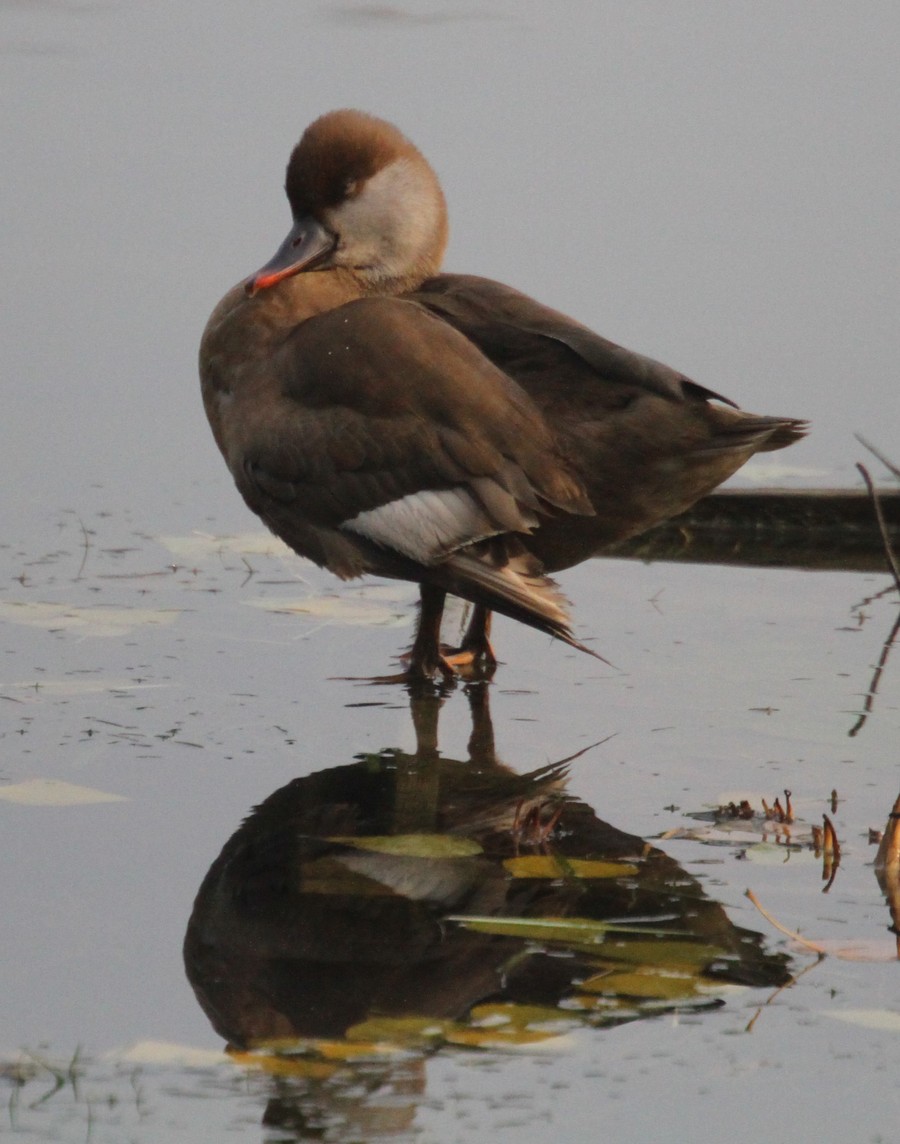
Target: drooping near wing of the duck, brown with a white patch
<point>377,439</point>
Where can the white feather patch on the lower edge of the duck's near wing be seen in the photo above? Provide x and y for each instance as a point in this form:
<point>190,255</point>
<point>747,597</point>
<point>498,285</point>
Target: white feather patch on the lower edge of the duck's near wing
<point>427,526</point>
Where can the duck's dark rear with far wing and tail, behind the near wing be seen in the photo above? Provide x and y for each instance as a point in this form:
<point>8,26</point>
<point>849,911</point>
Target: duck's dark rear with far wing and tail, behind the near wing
<point>647,440</point>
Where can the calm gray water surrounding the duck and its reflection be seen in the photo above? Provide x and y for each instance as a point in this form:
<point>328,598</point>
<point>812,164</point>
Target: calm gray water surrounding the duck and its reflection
<point>713,185</point>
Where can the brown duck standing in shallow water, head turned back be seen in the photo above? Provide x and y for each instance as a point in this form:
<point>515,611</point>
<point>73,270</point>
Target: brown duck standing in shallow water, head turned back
<point>385,418</point>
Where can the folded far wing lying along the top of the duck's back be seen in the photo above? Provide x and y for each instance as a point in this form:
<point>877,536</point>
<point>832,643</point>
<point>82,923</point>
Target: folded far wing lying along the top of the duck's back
<point>533,340</point>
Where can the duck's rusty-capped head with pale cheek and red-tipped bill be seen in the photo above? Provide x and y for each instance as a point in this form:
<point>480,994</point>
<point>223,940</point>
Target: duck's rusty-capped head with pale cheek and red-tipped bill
<point>363,200</point>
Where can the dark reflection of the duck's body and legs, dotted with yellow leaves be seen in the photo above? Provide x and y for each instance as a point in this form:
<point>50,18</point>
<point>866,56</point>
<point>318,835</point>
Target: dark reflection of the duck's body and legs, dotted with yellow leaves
<point>408,893</point>
